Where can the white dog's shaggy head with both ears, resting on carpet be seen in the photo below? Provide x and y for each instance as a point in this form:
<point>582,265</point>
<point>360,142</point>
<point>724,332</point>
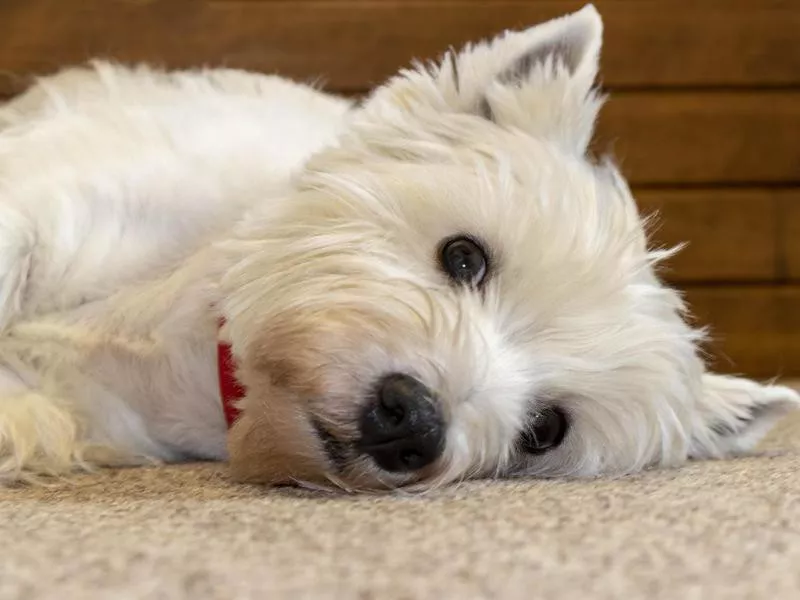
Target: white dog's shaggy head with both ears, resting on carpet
<point>457,290</point>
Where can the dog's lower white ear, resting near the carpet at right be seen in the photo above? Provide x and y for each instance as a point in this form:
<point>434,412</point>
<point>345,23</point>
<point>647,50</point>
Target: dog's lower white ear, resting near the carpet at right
<point>735,414</point>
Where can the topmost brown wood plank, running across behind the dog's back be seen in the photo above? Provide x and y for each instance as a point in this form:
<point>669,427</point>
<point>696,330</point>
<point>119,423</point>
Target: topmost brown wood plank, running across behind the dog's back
<point>355,45</point>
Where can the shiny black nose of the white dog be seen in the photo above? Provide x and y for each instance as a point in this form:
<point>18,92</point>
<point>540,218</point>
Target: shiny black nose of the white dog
<point>402,429</point>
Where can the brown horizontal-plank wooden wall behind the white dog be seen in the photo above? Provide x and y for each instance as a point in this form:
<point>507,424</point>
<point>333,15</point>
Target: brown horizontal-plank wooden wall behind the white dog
<point>704,114</point>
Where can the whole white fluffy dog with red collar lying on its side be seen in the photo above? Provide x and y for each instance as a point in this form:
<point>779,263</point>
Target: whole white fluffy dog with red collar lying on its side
<point>437,284</point>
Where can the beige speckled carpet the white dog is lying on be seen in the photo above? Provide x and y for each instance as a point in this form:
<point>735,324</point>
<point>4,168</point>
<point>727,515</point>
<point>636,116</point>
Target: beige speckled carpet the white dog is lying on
<point>710,530</point>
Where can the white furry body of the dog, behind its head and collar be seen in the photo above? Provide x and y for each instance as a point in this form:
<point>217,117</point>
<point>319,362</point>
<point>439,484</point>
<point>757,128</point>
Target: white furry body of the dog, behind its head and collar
<point>113,180</point>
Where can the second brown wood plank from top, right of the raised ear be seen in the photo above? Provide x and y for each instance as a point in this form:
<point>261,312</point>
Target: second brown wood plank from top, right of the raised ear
<point>704,138</point>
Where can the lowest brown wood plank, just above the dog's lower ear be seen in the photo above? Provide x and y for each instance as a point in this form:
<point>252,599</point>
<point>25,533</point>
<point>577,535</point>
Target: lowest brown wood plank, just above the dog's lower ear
<point>755,330</point>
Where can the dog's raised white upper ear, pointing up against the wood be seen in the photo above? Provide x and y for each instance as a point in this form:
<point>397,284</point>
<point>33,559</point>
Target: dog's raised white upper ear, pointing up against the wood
<point>540,80</point>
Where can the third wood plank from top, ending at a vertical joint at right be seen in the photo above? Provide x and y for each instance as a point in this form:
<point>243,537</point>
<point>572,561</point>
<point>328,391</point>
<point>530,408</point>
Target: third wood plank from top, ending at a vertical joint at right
<point>731,235</point>
